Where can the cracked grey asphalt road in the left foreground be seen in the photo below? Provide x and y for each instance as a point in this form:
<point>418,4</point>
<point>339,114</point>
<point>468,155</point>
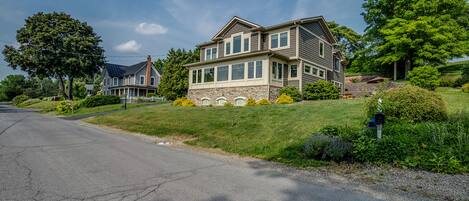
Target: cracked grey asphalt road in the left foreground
<point>45,158</point>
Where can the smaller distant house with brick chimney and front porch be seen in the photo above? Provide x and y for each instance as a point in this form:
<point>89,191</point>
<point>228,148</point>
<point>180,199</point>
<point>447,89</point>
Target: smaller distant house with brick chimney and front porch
<point>131,81</point>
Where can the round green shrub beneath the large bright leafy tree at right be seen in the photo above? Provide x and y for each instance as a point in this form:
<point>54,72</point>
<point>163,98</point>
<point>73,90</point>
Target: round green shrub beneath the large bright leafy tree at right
<point>425,77</point>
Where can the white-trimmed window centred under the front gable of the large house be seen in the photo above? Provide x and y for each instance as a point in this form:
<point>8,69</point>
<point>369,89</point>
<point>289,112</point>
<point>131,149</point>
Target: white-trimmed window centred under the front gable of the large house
<point>238,43</point>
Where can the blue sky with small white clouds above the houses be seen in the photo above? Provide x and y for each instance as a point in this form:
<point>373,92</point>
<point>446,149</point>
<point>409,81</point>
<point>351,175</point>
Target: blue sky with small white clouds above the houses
<point>132,29</point>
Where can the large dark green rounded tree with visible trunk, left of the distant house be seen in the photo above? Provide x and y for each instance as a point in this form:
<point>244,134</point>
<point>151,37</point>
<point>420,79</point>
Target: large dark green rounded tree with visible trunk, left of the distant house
<point>56,45</point>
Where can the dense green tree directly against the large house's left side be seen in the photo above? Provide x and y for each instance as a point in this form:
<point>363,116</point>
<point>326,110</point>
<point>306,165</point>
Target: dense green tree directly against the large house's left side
<point>174,81</point>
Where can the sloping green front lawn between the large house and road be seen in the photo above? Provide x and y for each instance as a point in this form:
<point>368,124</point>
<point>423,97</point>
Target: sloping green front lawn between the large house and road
<point>267,132</point>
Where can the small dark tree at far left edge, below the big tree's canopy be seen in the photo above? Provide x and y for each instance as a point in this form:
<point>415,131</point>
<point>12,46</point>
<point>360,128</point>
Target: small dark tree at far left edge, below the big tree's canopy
<point>12,86</point>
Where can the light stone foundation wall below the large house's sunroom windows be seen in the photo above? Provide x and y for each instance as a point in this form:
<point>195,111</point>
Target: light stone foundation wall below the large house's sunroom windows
<point>230,93</point>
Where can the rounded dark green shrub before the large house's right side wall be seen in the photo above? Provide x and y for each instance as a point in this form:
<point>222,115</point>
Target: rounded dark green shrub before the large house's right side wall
<point>321,90</point>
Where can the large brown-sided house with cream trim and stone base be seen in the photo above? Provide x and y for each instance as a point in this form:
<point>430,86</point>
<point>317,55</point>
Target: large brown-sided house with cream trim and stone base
<point>245,60</point>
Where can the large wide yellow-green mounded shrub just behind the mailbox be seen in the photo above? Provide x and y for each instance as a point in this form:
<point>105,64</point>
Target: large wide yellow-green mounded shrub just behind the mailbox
<point>409,103</point>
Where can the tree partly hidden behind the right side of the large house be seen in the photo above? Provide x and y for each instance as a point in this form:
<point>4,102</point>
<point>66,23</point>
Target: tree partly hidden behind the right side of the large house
<point>349,41</point>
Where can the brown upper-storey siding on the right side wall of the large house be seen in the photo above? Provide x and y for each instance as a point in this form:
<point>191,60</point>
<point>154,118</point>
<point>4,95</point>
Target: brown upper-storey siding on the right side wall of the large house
<point>309,49</point>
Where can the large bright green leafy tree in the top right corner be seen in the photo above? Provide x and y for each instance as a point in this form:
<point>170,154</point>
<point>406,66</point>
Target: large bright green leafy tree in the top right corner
<point>416,32</point>
